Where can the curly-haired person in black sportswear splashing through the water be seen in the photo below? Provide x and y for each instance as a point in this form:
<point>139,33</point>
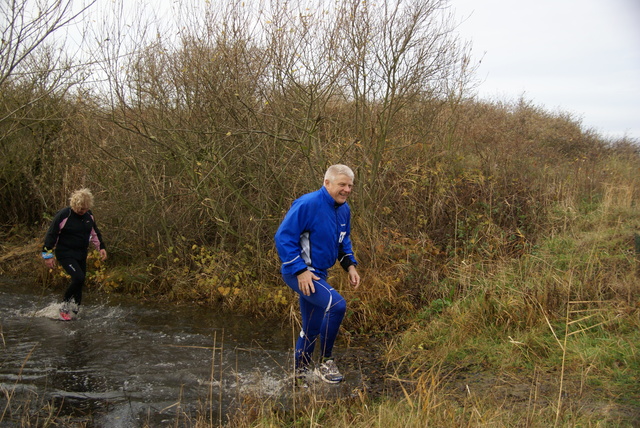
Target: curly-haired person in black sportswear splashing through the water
<point>68,237</point>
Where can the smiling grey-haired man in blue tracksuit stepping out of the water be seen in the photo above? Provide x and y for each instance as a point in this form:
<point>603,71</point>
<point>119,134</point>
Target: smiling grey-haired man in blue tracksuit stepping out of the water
<point>312,236</point>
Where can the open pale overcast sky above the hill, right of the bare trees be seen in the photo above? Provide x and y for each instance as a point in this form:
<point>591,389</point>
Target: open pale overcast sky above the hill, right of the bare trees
<point>576,56</point>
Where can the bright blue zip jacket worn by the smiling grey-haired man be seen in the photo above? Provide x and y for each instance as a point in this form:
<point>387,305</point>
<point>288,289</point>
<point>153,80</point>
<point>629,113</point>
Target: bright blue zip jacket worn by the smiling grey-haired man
<point>314,234</point>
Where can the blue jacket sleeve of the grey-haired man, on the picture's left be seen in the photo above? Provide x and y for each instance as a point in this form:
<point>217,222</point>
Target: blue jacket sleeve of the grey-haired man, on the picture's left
<point>288,238</point>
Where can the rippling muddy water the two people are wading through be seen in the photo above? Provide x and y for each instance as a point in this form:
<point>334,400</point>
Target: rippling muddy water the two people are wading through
<point>127,363</point>
